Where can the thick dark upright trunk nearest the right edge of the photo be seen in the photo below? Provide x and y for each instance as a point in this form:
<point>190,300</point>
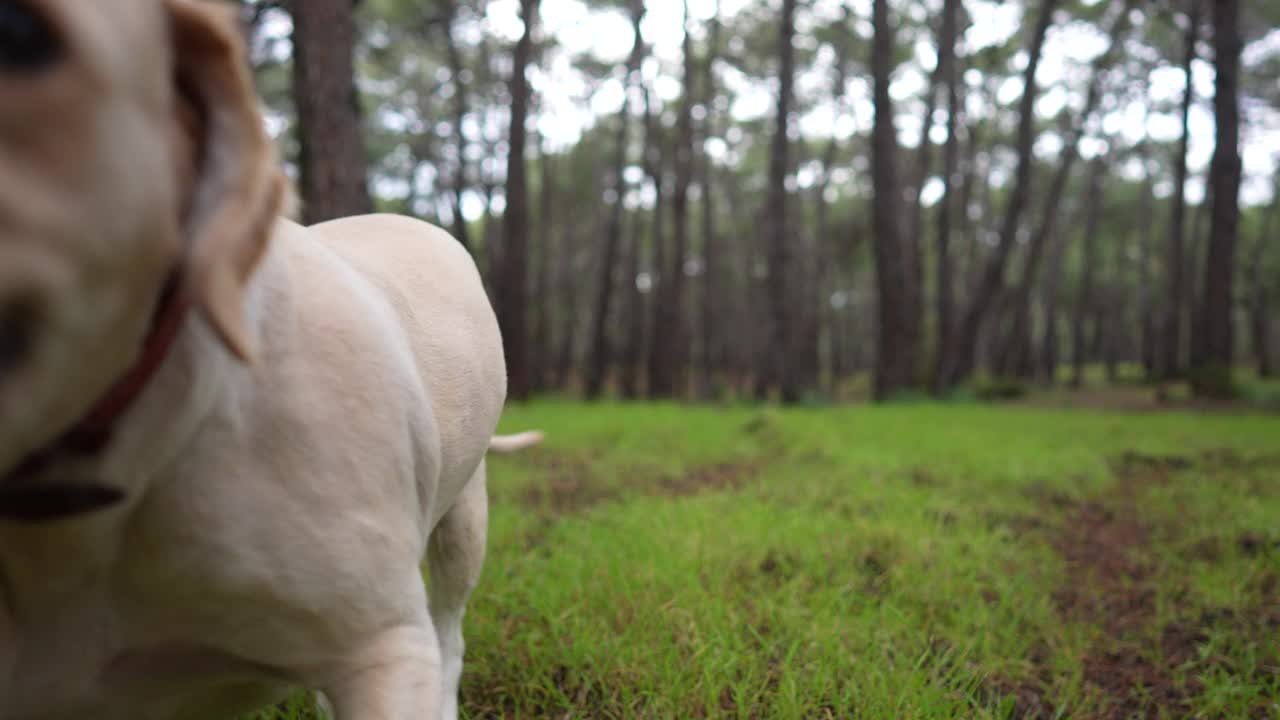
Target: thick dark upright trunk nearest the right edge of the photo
<point>1214,377</point>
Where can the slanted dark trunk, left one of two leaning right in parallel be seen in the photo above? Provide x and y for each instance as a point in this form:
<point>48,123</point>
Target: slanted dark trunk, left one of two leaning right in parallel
<point>959,356</point>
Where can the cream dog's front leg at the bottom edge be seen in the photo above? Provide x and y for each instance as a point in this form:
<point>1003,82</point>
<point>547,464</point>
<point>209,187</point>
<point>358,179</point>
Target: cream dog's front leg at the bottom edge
<point>396,676</point>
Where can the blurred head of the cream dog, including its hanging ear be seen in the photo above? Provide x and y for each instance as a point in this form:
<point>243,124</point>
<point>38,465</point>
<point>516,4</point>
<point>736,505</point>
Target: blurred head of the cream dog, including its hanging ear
<point>131,147</point>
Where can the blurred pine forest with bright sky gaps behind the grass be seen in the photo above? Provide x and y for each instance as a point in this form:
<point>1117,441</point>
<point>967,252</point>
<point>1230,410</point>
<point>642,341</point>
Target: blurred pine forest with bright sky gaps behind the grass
<point>808,199</point>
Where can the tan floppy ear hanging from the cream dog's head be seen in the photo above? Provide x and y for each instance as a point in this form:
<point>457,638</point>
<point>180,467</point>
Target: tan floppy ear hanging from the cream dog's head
<point>237,189</point>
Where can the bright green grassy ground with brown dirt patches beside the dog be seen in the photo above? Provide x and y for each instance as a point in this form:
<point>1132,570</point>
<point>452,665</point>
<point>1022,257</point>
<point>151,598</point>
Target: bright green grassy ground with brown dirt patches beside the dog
<point>903,562</point>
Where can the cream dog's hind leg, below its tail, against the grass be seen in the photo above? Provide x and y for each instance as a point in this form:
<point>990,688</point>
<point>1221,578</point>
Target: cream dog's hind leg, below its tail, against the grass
<point>455,558</point>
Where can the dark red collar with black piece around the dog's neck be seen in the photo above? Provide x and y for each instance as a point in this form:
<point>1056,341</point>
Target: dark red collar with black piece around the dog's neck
<point>24,499</point>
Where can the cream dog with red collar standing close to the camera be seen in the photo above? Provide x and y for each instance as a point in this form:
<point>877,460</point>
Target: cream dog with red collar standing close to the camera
<point>227,443</point>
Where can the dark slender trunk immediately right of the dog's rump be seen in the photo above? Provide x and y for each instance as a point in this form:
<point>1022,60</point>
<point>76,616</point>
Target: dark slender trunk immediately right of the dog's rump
<point>513,295</point>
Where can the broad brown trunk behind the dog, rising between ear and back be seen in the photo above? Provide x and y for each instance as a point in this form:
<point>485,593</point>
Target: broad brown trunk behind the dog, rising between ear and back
<point>332,151</point>
